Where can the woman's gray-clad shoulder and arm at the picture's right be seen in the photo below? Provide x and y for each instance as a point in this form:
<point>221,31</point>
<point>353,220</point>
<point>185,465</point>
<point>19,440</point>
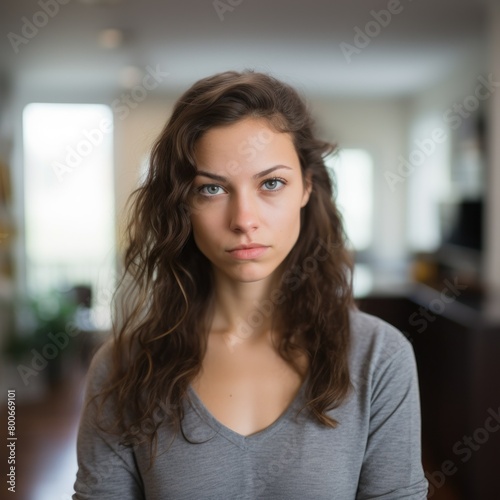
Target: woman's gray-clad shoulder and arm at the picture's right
<point>385,408</point>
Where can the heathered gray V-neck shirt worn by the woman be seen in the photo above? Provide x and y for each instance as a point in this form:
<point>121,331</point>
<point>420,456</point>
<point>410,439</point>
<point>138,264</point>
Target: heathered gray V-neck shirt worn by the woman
<point>373,453</point>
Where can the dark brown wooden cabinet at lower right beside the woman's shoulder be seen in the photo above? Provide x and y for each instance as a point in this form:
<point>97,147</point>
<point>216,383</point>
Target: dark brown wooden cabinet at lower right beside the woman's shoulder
<point>457,348</point>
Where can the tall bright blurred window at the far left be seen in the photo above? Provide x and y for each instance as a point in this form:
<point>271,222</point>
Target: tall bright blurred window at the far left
<point>69,198</point>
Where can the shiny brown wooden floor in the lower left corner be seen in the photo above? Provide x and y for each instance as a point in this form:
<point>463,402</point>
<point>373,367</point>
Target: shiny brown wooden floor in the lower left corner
<point>46,443</point>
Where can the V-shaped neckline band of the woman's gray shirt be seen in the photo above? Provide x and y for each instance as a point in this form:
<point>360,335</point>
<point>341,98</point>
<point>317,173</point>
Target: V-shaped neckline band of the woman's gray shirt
<point>245,442</point>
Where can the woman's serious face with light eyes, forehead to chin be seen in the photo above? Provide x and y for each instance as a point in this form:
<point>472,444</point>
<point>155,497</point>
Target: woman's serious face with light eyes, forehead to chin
<point>248,192</point>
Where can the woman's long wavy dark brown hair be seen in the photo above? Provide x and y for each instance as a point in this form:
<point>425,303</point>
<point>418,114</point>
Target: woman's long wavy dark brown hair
<point>168,282</point>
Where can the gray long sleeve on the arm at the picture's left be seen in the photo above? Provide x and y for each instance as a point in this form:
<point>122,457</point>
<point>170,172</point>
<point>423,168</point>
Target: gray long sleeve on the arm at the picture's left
<point>106,469</point>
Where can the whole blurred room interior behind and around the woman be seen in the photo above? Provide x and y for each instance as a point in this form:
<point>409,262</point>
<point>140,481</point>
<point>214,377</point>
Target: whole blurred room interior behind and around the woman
<point>408,90</point>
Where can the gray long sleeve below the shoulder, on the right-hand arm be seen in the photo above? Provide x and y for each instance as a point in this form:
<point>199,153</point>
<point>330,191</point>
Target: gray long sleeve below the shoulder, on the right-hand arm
<point>392,467</point>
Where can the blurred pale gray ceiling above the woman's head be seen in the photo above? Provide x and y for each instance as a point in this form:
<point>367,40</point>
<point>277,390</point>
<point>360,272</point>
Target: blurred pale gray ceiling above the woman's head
<point>299,41</point>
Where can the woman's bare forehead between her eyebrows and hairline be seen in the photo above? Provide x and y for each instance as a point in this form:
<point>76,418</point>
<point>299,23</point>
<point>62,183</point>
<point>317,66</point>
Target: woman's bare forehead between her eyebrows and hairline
<point>251,143</point>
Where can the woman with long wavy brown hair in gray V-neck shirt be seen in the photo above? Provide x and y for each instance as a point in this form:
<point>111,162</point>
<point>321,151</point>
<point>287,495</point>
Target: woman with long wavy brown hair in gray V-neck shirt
<point>242,369</point>
